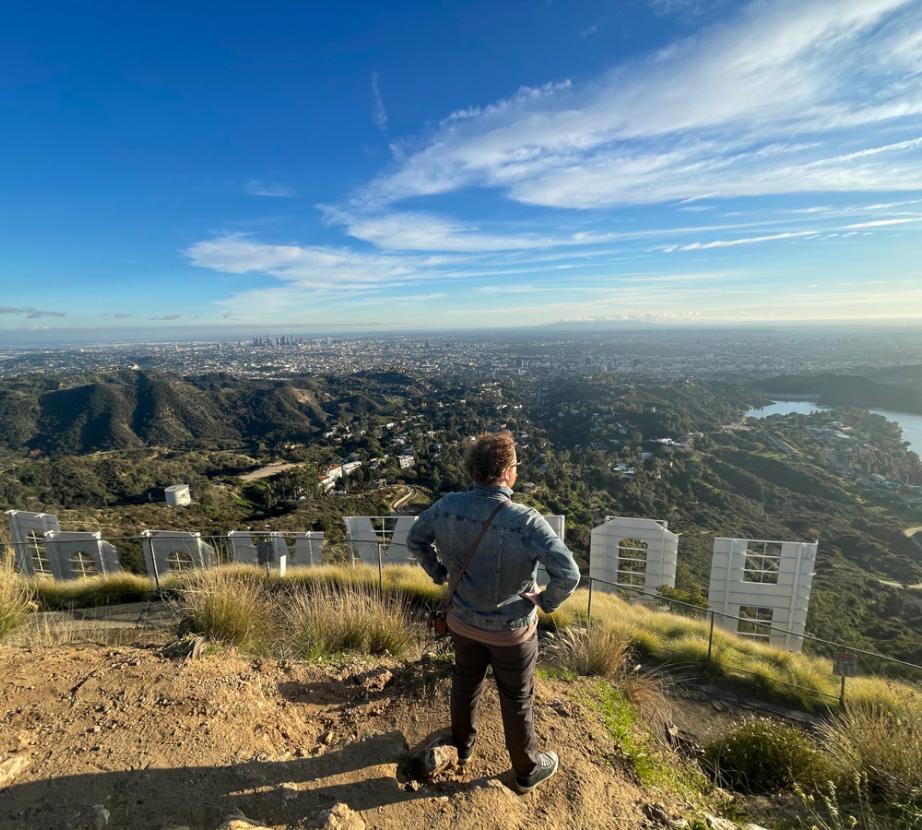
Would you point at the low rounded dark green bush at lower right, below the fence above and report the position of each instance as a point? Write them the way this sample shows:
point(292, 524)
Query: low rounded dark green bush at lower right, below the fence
point(765, 756)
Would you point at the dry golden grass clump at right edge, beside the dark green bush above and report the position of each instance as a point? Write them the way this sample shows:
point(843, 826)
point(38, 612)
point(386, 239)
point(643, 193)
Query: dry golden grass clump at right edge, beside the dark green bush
point(882, 745)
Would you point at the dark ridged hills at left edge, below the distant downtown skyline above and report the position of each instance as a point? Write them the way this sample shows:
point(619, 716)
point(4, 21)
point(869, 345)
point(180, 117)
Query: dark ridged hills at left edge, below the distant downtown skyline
point(135, 409)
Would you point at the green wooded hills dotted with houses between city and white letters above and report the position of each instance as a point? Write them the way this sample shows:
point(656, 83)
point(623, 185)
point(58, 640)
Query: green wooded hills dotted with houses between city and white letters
point(593, 446)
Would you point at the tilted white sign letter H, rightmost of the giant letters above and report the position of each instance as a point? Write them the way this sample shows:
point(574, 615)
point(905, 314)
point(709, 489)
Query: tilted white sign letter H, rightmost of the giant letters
point(763, 585)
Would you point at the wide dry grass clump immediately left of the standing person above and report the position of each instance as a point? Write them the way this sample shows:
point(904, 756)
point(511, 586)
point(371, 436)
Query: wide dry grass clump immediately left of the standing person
point(323, 622)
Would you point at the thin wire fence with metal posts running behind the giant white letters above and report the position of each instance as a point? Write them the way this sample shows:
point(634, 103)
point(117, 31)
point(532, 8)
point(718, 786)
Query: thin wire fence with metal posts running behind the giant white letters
point(870, 662)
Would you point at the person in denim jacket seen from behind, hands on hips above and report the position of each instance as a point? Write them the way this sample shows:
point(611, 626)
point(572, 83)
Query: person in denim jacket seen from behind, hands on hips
point(492, 616)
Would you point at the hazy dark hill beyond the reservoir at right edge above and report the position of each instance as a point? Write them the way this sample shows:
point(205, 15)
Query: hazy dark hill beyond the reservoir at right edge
point(893, 390)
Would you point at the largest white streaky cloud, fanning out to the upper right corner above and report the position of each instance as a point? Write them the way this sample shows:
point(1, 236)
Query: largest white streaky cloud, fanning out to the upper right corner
point(783, 97)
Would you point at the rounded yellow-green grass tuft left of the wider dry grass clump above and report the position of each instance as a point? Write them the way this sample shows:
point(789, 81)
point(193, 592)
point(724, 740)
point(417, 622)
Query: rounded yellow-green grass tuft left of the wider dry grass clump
point(228, 609)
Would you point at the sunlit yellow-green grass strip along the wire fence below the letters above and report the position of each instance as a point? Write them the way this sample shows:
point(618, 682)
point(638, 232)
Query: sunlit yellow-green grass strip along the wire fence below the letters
point(678, 642)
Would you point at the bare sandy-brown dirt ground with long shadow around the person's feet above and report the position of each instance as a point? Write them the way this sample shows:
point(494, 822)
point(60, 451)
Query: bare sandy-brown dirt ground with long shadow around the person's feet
point(162, 743)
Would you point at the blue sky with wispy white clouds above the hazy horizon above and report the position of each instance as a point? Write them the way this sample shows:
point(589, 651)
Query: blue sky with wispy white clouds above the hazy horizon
point(449, 164)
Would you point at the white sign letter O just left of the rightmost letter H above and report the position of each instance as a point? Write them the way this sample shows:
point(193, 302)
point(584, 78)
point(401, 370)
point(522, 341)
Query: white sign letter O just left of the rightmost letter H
point(633, 553)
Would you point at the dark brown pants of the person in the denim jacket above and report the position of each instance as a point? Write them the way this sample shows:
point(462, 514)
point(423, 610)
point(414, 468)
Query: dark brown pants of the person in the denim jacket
point(514, 673)
